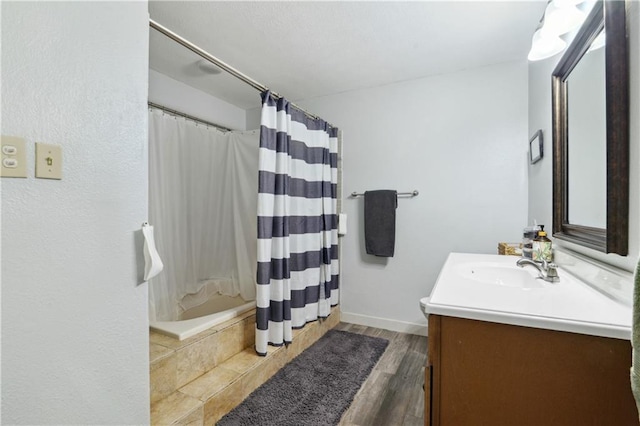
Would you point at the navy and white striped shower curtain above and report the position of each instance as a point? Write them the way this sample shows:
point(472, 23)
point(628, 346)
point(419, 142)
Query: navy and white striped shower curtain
point(297, 277)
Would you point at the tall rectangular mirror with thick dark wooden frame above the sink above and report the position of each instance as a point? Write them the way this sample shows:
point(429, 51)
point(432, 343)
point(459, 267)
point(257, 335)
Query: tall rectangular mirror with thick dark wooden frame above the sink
point(591, 134)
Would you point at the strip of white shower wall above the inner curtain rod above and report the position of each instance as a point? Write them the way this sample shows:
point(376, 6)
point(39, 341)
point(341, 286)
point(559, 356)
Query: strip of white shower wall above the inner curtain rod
point(181, 97)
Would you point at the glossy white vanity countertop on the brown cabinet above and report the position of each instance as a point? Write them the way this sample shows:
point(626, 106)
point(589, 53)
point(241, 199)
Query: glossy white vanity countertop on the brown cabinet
point(568, 305)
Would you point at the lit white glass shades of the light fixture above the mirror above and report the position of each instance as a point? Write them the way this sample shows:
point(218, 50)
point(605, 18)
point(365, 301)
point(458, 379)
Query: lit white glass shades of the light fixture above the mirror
point(560, 17)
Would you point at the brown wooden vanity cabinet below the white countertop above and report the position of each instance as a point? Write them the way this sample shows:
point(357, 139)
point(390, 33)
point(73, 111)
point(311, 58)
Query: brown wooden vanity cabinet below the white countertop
point(483, 373)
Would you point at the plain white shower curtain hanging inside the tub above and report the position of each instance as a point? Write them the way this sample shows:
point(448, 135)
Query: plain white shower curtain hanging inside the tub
point(202, 202)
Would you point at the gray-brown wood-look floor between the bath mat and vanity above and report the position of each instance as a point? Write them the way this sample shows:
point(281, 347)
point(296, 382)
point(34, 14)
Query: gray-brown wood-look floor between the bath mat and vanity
point(392, 394)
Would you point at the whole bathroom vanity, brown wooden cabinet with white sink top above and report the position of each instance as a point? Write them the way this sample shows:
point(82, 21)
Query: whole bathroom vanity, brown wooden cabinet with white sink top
point(506, 348)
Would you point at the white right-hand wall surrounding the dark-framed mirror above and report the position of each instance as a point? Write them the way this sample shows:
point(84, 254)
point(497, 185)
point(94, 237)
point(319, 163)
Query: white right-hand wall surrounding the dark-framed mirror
point(540, 174)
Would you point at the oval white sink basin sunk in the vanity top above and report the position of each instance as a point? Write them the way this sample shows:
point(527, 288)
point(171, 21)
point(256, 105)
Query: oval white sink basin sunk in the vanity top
point(500, 274)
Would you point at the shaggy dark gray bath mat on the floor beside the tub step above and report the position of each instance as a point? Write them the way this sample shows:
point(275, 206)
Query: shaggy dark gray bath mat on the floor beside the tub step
point(316, 387)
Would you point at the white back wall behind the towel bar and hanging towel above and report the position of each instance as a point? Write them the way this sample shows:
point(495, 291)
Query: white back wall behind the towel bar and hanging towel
point(461, 140)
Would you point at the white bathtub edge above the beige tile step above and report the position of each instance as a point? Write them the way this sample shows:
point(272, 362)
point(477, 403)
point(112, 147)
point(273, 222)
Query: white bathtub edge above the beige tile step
point(182, 330)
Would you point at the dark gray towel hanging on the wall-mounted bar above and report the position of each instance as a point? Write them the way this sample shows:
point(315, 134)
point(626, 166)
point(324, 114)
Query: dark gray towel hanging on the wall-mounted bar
point(380, 222)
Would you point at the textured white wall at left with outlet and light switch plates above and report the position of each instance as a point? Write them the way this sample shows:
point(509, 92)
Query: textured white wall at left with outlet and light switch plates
point(74, 317)
